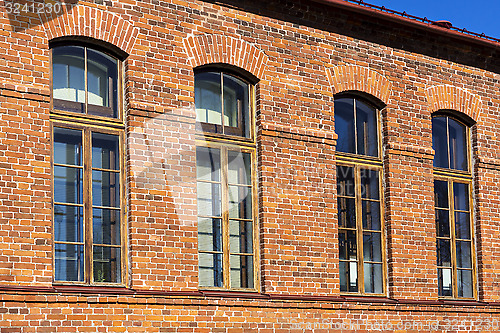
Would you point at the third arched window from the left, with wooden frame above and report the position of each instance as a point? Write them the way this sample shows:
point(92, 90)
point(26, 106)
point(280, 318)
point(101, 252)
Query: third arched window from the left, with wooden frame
point(359, 196)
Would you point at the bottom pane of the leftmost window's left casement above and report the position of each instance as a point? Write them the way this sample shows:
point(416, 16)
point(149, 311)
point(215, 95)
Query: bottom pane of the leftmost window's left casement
point(69, 262)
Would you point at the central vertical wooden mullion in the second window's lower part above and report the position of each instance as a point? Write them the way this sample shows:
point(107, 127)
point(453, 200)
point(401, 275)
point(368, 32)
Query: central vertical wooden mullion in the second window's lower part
point(225, 220)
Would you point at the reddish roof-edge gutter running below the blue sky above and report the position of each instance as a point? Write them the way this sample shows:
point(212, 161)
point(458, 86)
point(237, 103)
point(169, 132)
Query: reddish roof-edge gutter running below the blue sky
point(409, 22)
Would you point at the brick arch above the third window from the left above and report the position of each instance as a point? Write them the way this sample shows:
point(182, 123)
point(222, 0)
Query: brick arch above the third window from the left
point(351, 77)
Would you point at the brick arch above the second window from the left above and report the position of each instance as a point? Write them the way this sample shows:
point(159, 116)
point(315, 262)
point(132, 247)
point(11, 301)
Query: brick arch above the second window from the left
point(210, 49)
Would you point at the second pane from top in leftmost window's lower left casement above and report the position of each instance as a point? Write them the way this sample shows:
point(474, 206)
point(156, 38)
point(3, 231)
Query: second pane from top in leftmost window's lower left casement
point(68, 185)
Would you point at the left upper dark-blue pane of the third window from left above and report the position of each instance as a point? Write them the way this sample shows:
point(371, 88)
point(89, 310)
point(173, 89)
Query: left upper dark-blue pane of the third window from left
point(344, 124)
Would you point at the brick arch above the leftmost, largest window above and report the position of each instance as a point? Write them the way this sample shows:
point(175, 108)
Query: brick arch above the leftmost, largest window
point(91, 22)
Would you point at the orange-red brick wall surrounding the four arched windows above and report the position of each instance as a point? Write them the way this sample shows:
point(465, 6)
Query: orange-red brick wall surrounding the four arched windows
point(300, 54)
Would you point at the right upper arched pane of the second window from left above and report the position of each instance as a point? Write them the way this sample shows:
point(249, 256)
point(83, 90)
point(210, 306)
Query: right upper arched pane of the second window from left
point(236, 110)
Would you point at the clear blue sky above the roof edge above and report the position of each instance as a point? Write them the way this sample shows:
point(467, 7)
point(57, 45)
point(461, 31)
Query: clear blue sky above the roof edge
point(481, 16)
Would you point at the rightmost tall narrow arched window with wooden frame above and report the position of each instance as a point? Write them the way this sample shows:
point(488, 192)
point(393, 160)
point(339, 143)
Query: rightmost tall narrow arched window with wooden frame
point(453, 206)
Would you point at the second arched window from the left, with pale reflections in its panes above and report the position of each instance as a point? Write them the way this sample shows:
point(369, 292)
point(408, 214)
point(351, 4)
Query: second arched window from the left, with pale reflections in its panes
point(225, 159)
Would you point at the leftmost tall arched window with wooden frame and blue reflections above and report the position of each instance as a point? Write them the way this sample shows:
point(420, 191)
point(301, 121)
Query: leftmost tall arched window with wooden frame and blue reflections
point(88, 188)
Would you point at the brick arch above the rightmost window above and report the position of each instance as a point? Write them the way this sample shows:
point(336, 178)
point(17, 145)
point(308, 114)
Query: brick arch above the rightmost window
point(453, 98)
